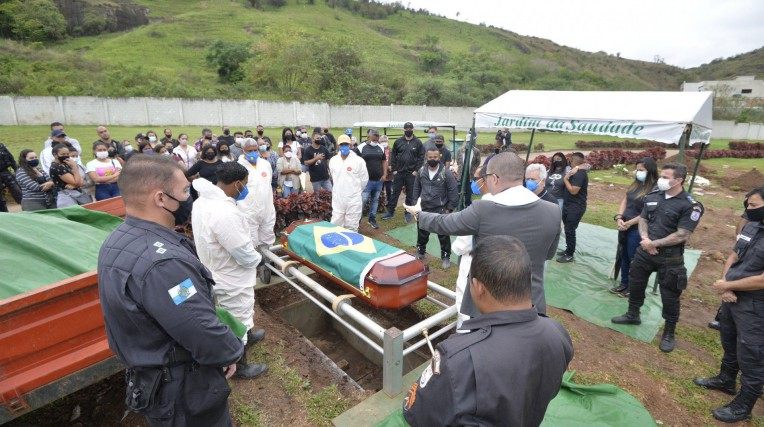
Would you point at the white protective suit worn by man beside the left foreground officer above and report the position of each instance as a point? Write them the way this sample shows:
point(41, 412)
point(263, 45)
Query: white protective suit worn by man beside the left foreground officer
point(224, 245)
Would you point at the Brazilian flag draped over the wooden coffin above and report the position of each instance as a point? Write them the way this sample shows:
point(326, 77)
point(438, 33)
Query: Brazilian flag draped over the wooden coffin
point(343, 253)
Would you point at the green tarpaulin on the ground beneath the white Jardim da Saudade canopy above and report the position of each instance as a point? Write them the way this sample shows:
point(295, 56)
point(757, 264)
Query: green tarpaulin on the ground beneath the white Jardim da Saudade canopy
point(582, 286)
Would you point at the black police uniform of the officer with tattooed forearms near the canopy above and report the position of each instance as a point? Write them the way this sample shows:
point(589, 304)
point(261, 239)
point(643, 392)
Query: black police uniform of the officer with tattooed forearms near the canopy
point(664, 217)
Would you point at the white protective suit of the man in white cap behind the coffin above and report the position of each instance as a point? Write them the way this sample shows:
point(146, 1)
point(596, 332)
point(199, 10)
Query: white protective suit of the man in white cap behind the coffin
point(349, 178)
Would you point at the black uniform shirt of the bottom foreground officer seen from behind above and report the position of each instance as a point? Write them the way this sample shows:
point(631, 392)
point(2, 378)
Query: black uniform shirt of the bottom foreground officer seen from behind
point(505, 371)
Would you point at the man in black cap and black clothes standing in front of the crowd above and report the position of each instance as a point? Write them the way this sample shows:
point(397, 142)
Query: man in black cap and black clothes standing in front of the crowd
point(406, 158)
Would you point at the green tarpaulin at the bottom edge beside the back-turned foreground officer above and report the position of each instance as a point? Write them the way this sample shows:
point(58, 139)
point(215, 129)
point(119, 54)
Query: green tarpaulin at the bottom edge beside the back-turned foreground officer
point(579, 405)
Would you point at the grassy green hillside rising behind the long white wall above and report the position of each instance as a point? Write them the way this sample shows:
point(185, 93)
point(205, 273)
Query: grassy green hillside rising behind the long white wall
point(314, 52)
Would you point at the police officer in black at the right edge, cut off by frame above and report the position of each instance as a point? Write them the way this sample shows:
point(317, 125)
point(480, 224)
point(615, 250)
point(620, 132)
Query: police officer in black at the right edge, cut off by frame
point(741, 318)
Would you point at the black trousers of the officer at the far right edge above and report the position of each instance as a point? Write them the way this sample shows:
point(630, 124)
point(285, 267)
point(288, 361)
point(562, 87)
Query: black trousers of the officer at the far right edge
point(742, 335)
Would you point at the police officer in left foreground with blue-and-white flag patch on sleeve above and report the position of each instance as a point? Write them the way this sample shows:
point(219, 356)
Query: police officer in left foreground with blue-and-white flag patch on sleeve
point(157, 304)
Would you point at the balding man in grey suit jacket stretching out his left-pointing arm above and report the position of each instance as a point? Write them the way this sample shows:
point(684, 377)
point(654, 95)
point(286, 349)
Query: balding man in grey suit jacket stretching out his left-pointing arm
point(512, 211)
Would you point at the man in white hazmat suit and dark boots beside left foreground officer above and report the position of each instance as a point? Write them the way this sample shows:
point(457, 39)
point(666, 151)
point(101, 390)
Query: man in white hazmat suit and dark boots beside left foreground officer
point(223, 244)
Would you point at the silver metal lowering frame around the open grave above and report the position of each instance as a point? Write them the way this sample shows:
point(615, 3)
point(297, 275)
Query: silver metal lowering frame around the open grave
point(390, 343)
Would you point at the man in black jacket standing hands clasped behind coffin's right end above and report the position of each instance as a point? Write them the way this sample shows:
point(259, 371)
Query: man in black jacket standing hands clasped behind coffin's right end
point(436, 186)
